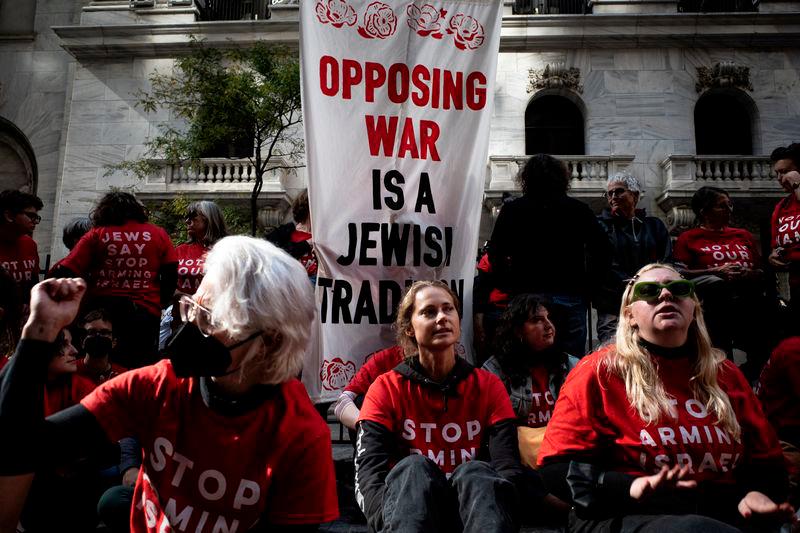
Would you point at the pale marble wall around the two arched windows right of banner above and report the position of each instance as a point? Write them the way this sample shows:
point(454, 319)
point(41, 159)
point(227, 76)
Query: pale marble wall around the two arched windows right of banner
point(641, 102)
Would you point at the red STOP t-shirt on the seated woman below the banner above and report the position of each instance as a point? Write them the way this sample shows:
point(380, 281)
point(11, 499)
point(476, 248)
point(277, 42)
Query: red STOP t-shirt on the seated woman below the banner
point(449, 435)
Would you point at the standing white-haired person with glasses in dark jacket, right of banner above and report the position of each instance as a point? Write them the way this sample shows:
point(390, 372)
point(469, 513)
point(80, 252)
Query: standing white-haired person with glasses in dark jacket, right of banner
point(636, 240)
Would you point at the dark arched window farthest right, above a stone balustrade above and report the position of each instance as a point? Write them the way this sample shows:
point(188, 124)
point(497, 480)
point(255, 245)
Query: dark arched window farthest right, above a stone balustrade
point(723, 123)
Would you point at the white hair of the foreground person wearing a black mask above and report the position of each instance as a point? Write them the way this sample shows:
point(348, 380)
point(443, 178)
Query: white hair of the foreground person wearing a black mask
point(259, 287)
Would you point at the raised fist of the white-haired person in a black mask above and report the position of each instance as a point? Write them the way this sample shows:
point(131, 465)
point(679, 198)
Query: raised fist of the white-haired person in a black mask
point(54, 305)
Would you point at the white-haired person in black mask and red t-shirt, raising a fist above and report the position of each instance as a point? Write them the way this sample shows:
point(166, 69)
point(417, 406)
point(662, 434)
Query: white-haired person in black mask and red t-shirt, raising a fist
point(230, 438)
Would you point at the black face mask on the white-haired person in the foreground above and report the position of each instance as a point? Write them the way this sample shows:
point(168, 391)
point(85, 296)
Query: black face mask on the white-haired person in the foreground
point(194, 355)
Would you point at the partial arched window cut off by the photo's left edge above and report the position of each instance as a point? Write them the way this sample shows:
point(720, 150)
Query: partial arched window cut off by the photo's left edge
point(17, 160)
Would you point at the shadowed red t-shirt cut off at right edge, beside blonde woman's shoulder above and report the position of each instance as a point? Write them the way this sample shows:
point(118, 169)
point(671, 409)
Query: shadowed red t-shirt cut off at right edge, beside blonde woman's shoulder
point(779, 387)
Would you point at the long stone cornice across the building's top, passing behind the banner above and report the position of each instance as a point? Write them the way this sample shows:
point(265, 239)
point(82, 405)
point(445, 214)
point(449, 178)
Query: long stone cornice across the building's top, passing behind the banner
point(519, 33)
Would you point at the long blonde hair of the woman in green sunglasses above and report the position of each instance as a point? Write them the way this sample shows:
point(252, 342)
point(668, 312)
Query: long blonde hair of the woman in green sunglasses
point(645, 389)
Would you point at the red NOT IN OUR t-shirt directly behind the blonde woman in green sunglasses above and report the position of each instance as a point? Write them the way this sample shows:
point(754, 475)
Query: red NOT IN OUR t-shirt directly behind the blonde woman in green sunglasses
point(699, 248)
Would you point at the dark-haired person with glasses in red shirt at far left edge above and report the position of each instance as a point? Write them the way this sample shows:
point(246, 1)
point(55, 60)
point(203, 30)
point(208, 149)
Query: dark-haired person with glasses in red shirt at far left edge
point(19, 255)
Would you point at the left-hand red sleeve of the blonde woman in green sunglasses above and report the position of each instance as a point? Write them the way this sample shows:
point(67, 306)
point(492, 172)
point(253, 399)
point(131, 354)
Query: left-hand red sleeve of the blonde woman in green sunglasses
point(578, 426)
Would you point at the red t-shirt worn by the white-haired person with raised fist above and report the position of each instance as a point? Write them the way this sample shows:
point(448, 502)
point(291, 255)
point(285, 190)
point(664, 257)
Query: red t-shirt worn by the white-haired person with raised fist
point(204, 471)
